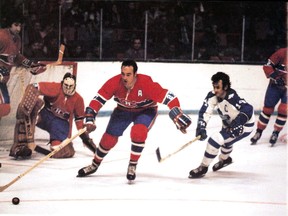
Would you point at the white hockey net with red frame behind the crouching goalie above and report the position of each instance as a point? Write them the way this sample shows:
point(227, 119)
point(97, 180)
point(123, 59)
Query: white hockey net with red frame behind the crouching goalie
point(19, 79)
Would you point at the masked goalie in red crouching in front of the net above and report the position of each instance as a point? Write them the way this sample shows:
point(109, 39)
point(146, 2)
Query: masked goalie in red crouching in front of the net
point(54, 114)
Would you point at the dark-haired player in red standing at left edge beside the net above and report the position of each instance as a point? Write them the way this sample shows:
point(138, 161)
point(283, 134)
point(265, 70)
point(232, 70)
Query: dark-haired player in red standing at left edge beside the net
point(10, 45)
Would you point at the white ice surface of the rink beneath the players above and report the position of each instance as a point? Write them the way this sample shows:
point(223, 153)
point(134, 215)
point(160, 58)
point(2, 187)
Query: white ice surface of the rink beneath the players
point(255, 184)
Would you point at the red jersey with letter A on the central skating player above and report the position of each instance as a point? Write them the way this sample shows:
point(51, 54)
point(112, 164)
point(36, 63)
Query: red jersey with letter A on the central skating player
point(145, 93)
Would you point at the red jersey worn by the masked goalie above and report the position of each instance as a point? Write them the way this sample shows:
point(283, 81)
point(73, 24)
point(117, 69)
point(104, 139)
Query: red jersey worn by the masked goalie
point(73, 105)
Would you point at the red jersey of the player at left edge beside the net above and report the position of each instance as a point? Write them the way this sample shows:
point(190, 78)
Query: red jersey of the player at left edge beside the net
point(10, 46)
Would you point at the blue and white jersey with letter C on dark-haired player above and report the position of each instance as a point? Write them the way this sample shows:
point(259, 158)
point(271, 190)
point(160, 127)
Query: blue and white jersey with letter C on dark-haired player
point(227, 108)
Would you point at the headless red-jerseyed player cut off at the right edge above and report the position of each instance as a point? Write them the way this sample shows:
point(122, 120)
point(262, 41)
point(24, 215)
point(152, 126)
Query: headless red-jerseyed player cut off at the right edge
point(276, 70)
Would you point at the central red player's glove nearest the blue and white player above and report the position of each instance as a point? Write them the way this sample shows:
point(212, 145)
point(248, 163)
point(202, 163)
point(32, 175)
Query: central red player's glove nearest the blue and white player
point(181, 120)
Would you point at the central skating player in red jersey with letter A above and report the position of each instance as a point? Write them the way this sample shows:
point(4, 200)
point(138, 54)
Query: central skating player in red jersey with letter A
point(136, 96)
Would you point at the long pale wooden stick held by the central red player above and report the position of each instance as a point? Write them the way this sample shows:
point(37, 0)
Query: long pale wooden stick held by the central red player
point(62, 145)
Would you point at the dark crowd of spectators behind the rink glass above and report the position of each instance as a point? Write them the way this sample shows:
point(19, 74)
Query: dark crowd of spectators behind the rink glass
point(185, 31)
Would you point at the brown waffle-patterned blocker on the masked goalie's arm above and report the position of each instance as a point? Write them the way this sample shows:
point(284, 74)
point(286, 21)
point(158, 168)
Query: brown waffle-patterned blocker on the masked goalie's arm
point(29, 100)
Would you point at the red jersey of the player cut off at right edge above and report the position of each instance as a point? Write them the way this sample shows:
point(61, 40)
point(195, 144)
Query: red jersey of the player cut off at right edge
point(277, 60)
